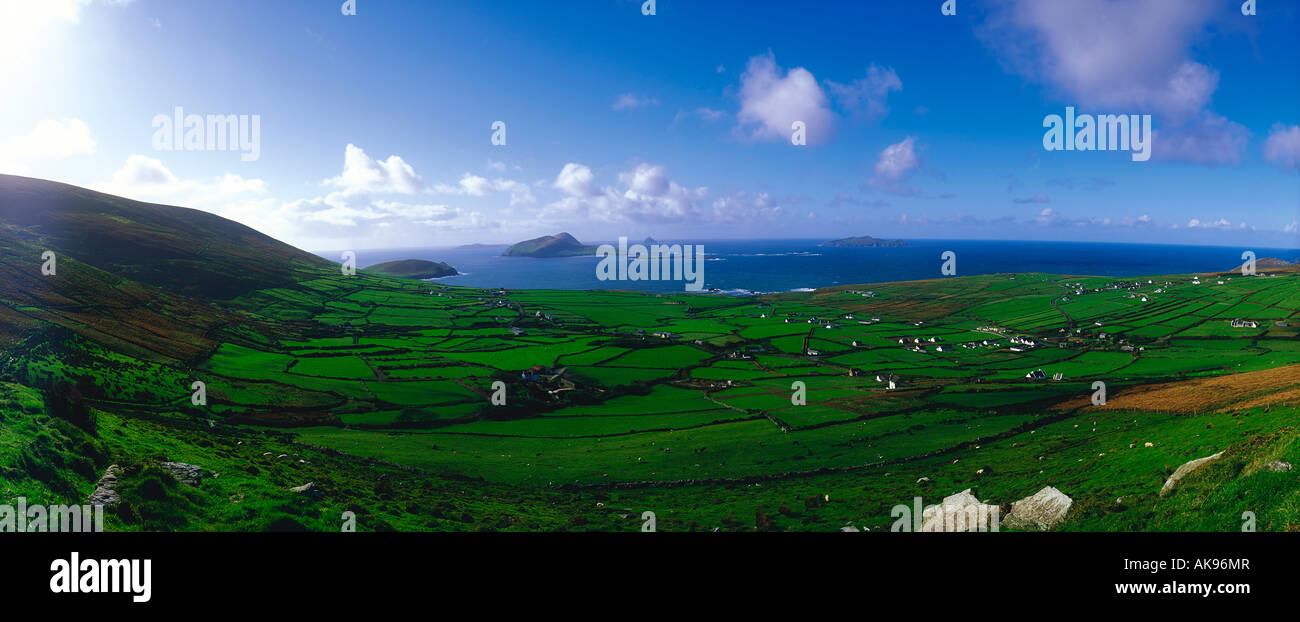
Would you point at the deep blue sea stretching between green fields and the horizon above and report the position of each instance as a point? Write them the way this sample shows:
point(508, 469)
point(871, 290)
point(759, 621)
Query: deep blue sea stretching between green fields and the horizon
point(765, 266)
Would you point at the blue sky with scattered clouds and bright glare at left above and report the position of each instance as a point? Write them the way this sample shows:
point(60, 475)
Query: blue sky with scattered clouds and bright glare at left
point(376, 128)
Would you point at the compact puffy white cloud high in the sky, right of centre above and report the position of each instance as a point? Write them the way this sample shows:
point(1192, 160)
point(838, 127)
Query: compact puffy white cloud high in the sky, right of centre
point(773, 101)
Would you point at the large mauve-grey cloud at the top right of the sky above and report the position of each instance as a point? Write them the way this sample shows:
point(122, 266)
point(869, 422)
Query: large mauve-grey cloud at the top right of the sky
point(1123, 58)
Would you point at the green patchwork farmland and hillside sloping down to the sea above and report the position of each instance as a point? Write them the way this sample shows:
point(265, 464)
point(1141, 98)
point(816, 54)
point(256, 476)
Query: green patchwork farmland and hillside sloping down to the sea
point(378, 391)
